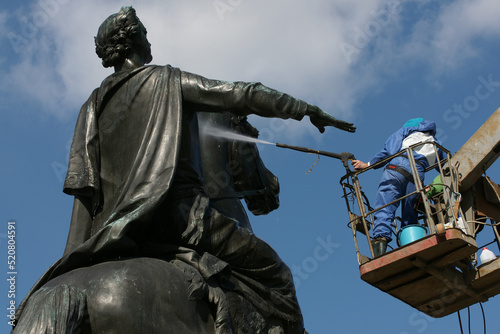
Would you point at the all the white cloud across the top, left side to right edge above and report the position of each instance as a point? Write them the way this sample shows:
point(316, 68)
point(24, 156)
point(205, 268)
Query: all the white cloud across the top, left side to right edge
point(294, 46)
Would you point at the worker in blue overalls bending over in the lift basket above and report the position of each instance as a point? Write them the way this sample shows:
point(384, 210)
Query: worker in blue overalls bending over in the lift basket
point(397, 179)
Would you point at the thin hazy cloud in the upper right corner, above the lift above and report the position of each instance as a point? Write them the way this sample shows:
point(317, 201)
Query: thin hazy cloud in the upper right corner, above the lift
point(442, 36)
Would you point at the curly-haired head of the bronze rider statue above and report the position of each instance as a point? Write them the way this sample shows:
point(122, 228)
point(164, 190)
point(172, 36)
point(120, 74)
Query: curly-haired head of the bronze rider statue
point(120, 35)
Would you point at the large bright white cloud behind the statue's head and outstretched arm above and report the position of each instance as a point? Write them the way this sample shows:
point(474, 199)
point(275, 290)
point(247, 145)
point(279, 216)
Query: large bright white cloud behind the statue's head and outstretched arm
point(289, 45)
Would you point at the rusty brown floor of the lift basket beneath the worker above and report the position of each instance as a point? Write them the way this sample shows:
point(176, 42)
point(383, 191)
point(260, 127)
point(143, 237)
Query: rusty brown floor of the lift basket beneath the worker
point(431, 276)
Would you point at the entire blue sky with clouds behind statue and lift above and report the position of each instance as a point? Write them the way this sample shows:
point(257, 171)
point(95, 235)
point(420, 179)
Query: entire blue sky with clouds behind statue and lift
point(375, 63)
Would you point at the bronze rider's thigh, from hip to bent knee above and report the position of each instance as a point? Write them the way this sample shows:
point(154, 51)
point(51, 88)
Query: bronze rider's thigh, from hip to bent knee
point(222, 236)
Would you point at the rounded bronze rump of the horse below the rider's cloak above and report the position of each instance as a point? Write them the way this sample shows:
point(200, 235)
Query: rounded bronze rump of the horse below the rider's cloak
point(141, 295)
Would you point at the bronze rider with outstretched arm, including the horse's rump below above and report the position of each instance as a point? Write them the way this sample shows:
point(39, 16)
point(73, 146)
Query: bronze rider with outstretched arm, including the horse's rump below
point(145, 250)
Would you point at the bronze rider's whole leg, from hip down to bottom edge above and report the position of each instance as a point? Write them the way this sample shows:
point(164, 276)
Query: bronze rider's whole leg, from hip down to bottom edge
point(252, 260)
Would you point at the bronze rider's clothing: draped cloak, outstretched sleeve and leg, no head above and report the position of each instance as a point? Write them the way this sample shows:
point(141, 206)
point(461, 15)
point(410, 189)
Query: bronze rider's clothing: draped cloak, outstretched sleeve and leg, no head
point(129, 141)
